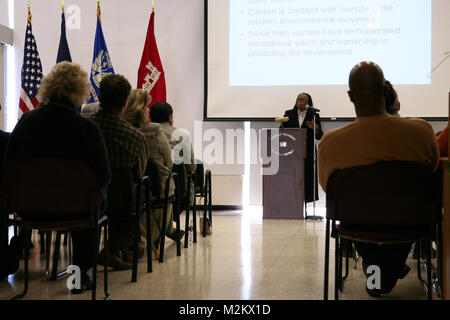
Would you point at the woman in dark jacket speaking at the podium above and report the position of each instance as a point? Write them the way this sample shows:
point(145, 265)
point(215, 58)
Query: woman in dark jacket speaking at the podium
point(301, 116)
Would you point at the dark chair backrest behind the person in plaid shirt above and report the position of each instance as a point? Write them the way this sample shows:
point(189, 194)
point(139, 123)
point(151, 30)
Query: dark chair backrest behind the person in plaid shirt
point(120, 190)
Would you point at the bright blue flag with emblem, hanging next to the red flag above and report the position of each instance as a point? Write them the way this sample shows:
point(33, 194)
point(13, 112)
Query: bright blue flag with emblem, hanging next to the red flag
point(101, 63)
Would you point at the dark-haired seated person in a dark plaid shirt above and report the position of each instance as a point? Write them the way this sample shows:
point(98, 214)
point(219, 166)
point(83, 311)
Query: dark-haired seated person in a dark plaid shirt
point(127, 148)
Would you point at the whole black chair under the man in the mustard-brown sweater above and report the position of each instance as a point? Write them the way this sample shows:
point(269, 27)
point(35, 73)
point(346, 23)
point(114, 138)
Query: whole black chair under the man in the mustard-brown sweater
point(385, 202)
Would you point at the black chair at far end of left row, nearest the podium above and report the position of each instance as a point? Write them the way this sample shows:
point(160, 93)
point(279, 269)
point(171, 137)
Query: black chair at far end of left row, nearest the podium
point(203, 189)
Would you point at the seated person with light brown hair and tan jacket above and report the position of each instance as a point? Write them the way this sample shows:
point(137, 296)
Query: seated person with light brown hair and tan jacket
point(137, 114)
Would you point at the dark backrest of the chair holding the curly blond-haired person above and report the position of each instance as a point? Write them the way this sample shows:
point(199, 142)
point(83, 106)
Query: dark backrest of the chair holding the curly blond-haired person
point(40, 186)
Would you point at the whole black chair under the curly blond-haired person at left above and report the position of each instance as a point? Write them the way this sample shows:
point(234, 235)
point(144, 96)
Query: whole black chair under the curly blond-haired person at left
point(53, 194)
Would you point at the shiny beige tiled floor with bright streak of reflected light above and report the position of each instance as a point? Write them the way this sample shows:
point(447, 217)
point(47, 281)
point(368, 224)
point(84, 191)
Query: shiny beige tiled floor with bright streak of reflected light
point(246, 257)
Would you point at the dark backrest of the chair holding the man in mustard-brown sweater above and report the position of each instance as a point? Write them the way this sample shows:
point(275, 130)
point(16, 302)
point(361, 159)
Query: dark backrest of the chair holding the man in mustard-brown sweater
point(386, 193)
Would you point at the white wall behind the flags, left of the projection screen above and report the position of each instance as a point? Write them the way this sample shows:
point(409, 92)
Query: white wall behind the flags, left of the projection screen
point(179, 34)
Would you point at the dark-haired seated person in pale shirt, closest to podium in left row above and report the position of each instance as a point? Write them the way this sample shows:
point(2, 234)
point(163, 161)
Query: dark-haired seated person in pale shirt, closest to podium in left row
point(179, 139)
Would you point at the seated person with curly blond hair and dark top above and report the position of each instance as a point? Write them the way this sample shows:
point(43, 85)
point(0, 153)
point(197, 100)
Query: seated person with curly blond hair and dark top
point(54, 129)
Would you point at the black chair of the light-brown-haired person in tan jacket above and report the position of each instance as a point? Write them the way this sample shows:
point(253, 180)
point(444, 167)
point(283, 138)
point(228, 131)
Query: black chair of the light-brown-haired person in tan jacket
point(163, 203)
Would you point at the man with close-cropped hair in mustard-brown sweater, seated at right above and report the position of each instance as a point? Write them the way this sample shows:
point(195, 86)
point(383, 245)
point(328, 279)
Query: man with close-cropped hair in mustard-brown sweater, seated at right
point(375, 136)
